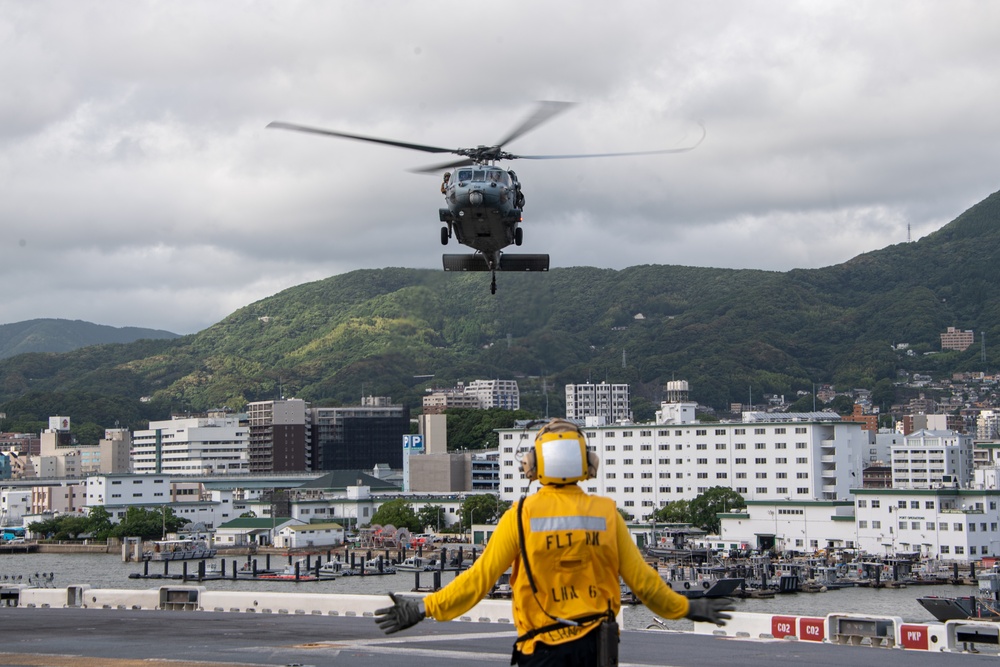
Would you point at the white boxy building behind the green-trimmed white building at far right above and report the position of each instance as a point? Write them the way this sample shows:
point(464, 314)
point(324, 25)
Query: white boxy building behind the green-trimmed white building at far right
point(927, 459)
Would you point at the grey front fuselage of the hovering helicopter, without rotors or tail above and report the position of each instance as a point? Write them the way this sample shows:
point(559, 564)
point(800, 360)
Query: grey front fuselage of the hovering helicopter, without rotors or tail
point(484, 208)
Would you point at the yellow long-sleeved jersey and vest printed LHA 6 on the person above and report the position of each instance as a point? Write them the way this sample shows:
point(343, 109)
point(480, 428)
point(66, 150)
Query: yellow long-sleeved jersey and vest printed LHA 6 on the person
point(577, 546)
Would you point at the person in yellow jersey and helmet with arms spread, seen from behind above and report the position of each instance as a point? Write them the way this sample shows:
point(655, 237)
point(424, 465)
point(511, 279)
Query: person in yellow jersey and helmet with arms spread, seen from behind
point(568, 549)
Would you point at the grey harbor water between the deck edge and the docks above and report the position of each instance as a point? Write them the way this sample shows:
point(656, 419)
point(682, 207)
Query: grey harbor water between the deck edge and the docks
point(108, 571)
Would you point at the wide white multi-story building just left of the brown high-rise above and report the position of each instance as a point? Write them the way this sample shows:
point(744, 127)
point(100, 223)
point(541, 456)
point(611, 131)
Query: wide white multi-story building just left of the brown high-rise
point(192, 446)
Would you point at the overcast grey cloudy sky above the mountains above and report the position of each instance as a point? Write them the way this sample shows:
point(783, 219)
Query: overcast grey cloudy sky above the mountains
point(139, 186)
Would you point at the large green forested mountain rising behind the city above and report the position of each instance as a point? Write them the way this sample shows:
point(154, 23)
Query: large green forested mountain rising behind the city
point(728, 332)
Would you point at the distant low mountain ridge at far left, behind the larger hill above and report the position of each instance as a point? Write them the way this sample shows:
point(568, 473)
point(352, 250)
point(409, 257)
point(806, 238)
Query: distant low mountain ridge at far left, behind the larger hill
point(55, 335)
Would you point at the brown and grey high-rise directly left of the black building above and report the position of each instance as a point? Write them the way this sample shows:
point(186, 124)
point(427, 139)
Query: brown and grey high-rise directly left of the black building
point(280, 436)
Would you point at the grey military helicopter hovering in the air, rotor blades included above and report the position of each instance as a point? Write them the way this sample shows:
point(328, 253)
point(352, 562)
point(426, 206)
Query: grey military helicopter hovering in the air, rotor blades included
point(484, 201)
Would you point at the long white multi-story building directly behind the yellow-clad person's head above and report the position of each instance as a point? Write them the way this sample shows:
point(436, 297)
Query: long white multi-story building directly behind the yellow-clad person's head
point(799, 457)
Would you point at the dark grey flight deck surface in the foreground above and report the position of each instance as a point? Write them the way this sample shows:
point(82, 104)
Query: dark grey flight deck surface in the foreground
point(120, 638)
